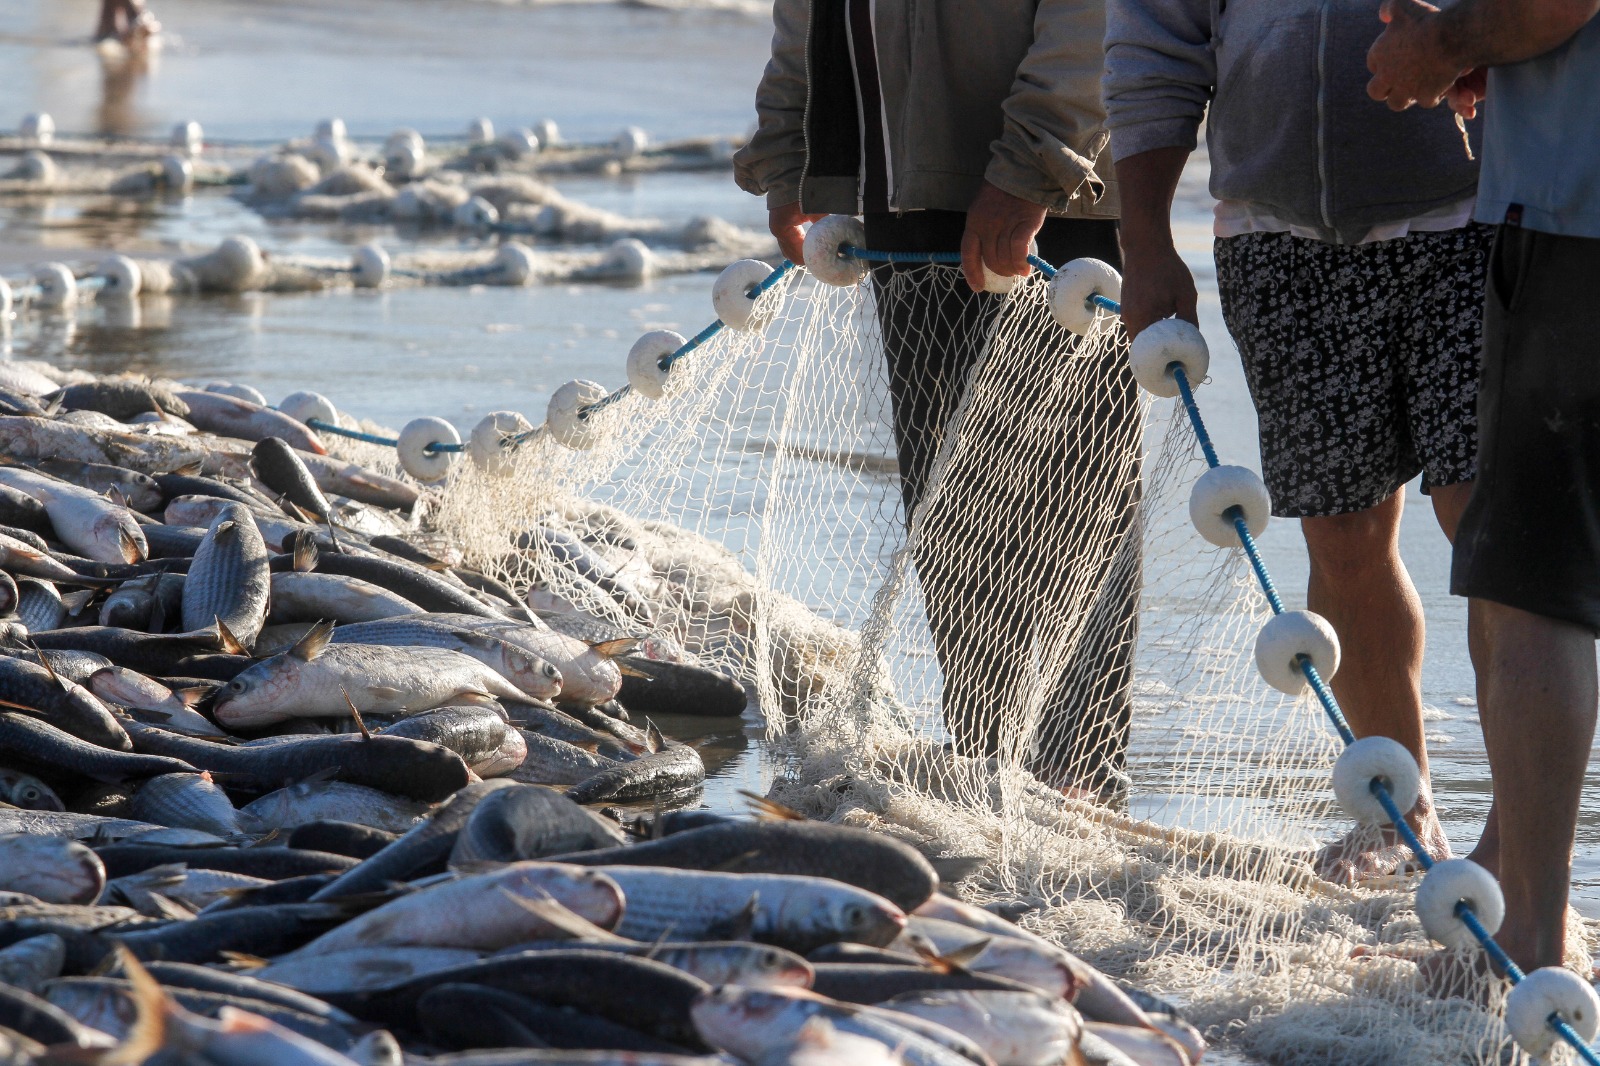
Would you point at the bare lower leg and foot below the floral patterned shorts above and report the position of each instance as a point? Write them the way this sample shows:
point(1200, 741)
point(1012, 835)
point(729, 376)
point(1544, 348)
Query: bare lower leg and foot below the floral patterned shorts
point(1361, 585)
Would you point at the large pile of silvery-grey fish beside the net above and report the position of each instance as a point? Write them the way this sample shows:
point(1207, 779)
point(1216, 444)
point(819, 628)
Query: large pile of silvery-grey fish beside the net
point(282, 787)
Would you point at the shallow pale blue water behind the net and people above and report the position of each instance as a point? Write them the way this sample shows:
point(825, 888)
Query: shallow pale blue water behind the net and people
point(265, 70)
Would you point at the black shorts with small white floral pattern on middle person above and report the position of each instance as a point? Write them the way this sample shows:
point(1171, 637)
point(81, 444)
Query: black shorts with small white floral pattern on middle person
point(1362, 361)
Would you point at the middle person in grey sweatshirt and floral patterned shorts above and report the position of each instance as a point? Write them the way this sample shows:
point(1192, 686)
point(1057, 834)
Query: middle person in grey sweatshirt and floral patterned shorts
point(1351, 273)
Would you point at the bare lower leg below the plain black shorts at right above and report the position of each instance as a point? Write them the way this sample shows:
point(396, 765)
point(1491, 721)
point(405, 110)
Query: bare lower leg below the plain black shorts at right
point(1538, 726)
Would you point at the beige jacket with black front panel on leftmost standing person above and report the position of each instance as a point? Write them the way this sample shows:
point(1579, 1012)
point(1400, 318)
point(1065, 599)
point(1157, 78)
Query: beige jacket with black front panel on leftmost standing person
point(999, 90)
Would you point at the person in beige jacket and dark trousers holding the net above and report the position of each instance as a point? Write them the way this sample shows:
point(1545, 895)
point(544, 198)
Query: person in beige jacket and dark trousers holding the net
point(975, 126)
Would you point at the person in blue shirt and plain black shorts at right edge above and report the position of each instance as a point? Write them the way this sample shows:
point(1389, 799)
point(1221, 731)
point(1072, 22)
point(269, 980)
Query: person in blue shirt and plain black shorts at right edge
point(1529, 551)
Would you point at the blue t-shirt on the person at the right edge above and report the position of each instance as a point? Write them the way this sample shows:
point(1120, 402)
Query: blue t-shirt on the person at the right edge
point(1542, 140)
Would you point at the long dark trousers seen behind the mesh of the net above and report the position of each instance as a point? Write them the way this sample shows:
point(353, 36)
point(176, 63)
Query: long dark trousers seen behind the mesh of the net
point(1030, 545)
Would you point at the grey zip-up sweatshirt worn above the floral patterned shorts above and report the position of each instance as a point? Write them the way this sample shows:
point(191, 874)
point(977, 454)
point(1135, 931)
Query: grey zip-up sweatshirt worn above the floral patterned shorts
point(1282, 86)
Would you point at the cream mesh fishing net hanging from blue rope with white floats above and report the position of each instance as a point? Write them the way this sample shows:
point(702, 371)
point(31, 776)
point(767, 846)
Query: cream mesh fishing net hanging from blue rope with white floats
point(1042, 619)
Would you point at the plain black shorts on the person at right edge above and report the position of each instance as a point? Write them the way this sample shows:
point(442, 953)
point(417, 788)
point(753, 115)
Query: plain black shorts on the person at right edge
point(1530, 537)
